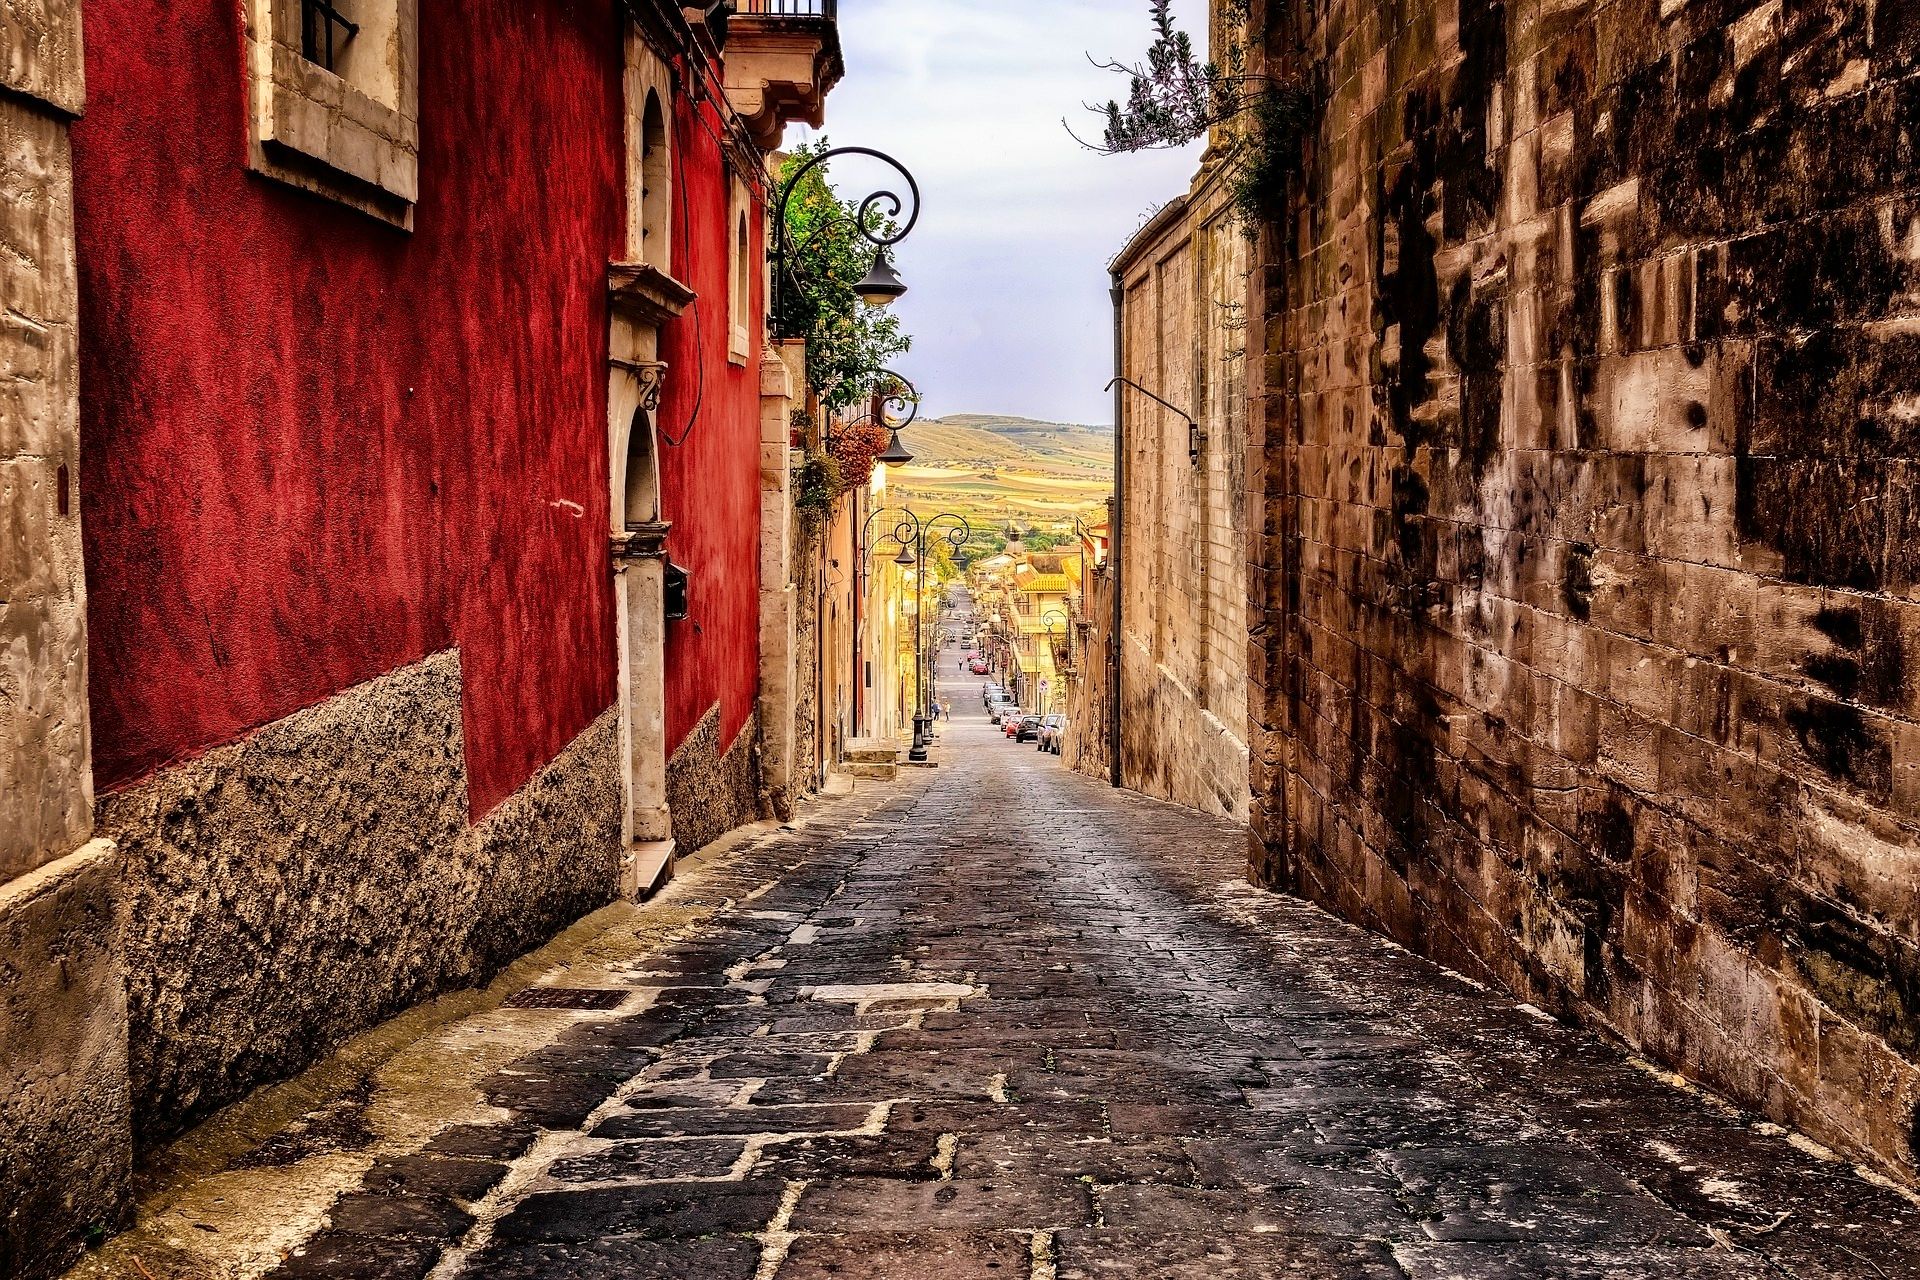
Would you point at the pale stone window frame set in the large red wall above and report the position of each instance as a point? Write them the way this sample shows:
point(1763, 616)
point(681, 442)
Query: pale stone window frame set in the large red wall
point(352, 137)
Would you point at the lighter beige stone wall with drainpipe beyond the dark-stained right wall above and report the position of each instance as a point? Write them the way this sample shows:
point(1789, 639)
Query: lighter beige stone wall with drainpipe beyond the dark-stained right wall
point(1184, 540)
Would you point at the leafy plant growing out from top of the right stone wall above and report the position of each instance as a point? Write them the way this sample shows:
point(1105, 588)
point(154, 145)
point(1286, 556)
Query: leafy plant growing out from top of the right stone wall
point(1174, 99)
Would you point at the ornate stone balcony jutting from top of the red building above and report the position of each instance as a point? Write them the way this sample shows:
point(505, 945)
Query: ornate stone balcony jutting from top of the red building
point(782, 60)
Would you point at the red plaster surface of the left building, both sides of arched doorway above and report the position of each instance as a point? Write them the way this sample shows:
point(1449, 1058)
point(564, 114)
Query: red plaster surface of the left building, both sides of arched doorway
point(318, 448)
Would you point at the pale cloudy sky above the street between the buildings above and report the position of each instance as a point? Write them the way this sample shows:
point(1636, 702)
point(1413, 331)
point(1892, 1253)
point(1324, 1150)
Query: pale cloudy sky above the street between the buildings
point(1009, 302)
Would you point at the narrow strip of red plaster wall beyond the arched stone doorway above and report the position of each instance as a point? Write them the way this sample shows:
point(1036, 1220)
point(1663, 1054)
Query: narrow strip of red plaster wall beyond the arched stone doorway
point(711, 485)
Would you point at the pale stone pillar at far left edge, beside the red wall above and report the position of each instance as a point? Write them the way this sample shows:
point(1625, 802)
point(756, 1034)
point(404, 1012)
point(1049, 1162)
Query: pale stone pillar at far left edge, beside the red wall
point(66, 1137)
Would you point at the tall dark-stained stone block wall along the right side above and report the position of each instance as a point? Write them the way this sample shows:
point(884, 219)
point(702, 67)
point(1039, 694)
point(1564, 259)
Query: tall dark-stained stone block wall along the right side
point(1589, 533)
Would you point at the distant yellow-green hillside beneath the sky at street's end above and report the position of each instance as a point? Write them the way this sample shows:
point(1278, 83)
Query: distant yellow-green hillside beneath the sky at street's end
point(999, 471)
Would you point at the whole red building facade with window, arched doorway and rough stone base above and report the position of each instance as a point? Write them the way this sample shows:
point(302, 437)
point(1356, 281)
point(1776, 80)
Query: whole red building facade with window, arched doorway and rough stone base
point(420, 385)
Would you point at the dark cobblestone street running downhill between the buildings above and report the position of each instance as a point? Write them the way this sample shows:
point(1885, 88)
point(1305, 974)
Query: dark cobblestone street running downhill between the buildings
point(997, 1020)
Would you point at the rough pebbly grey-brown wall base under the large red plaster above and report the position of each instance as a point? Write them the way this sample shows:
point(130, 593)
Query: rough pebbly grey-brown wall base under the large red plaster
point(318, 878)
